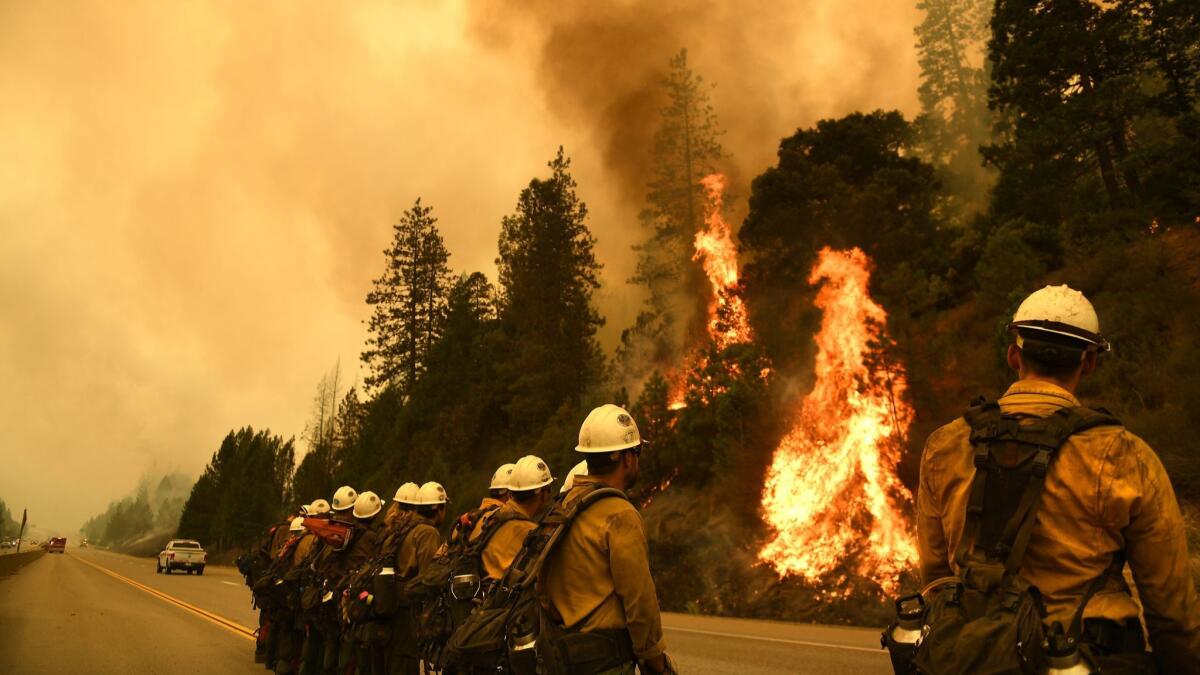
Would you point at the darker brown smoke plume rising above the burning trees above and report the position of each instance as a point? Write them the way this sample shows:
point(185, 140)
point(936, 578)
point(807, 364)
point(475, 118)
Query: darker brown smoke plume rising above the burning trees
point(776, 68)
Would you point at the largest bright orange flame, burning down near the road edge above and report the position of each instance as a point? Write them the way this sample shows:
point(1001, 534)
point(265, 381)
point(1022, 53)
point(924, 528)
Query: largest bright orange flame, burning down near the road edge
point(832, 497)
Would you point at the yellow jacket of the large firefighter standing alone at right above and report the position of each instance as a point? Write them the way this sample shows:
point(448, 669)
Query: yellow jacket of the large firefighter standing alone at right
point(1107, 491)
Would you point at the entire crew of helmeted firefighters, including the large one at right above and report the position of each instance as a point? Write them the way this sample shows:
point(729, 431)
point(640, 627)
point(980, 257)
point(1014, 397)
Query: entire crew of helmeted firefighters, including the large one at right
point(1030, 510)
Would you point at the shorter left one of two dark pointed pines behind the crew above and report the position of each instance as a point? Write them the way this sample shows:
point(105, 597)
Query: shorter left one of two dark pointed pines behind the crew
point(409, 302)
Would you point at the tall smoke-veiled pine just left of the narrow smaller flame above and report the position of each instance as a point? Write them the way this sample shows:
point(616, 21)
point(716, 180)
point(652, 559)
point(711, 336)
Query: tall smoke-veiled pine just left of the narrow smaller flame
point(687, 148)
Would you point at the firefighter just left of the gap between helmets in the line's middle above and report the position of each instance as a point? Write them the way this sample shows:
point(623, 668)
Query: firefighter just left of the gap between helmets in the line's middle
point(416, 553)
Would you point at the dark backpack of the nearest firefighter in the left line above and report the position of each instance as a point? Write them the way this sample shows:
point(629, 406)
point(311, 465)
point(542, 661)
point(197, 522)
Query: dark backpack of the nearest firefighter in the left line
point(513, 632)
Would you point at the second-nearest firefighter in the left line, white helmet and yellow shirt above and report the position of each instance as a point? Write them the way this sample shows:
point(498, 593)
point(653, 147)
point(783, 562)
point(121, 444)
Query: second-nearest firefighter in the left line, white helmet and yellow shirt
point(530, 493)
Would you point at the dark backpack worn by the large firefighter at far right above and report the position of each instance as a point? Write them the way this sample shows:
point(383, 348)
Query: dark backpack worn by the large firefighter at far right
point(988, 619)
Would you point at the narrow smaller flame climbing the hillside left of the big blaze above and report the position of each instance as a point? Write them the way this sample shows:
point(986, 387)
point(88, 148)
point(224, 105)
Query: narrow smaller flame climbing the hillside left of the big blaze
point(717, 253)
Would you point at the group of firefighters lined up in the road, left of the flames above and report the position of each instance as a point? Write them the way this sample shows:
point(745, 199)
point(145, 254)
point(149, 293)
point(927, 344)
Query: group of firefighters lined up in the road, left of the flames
point(352, 587)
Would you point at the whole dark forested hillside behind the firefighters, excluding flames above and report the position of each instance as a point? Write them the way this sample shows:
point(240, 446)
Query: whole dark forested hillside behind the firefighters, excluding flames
point(1070, 154)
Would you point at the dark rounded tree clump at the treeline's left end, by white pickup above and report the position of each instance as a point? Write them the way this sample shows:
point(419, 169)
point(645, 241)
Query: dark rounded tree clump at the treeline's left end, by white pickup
point(245, 489)
